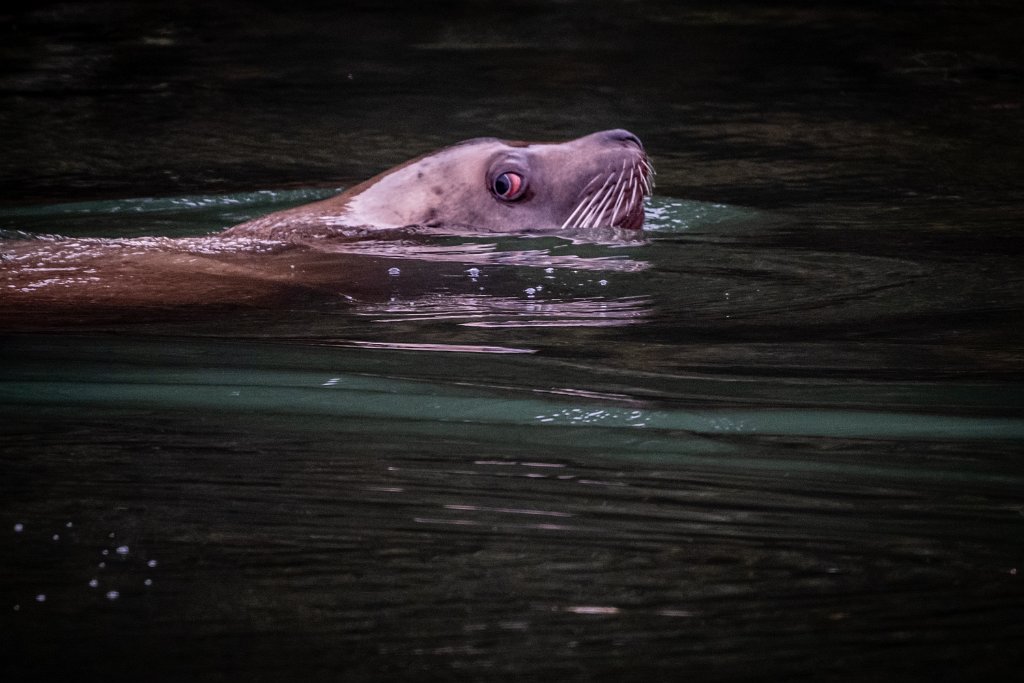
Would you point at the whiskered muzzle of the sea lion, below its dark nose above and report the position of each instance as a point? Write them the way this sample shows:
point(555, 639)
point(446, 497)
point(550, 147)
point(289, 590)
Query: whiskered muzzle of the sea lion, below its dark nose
point(615, 199)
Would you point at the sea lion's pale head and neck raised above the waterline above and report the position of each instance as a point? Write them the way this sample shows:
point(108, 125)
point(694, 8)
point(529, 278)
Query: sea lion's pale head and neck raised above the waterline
point(487, 185)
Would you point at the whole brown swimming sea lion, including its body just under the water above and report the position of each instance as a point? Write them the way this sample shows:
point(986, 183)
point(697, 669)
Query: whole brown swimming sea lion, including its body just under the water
point(595, 183)
